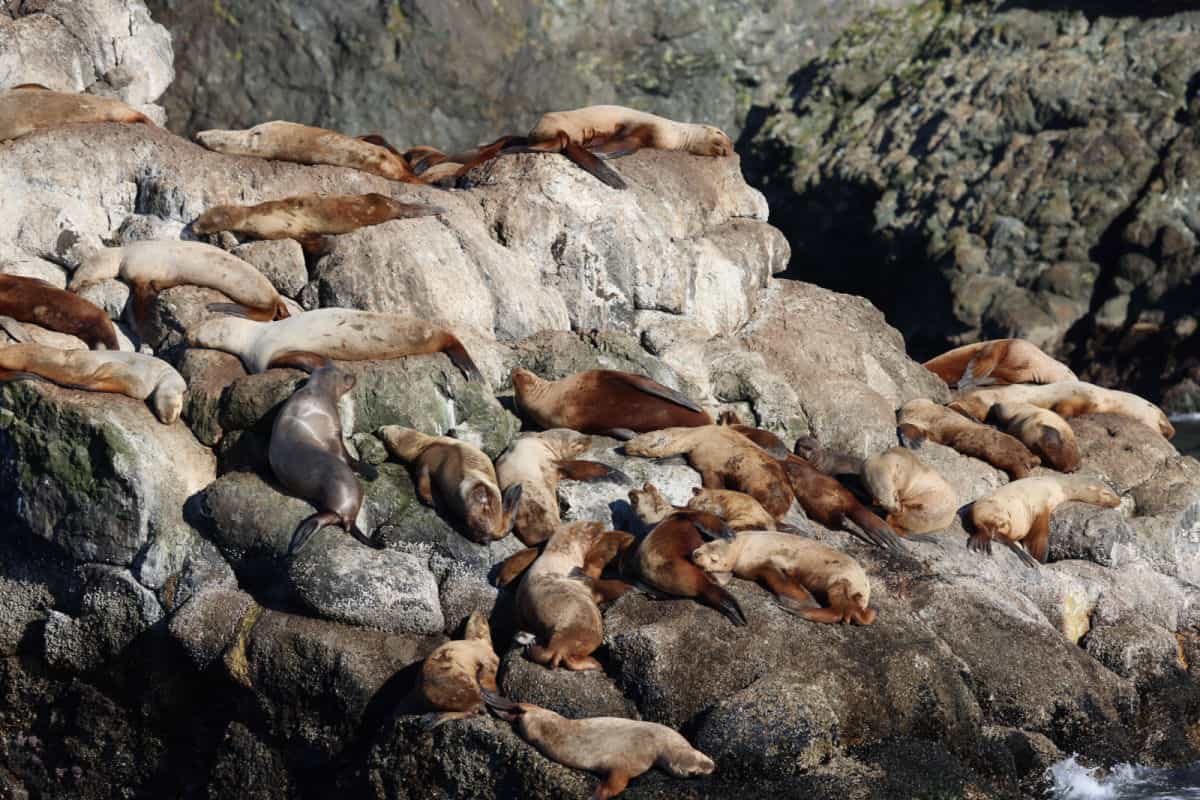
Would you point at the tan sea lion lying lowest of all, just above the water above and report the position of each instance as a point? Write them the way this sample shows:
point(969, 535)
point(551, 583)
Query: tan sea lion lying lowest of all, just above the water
point(616, 749)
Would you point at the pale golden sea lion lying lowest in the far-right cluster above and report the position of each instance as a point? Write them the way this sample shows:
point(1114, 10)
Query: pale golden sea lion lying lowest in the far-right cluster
point(1018, 514)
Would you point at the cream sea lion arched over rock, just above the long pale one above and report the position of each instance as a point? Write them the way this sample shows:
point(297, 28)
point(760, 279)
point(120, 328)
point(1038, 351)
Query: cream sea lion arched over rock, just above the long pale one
point(151, 267)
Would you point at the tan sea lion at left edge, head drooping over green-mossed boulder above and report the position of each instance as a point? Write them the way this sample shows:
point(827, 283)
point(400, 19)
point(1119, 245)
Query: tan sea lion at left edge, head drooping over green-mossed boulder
point(141, 377)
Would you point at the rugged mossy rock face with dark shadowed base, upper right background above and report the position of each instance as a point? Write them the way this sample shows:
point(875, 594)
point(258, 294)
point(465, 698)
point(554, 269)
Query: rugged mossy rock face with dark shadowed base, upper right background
point(999, 170)
